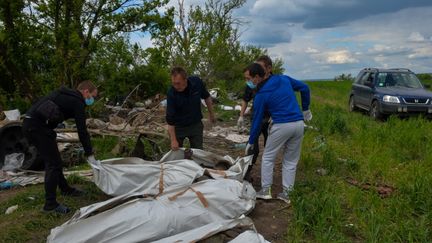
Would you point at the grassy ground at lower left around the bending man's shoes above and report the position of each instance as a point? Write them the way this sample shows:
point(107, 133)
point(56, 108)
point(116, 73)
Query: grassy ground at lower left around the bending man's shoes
point(28, 223)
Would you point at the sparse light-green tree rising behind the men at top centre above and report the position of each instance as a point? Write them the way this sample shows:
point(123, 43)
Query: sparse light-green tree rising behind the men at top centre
point(205, 41)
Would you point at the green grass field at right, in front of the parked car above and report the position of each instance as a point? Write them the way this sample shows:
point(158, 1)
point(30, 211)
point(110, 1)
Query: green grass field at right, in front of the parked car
point(397, 153)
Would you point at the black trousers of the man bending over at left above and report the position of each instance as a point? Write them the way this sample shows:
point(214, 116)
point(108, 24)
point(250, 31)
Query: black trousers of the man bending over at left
point(44, 139)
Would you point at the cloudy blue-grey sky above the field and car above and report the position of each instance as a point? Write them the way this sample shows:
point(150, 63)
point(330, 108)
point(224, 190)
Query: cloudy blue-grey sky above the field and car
point(325, 38)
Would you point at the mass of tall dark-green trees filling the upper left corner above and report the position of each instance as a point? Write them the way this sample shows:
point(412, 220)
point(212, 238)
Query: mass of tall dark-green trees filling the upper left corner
point(45, 43)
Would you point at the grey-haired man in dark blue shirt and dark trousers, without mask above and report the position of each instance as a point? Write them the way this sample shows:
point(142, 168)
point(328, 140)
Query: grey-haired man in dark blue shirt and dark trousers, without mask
point(183, 112)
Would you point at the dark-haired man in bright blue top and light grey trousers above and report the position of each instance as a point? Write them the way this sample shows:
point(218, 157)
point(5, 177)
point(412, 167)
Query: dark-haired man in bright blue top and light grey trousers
point(277, 96)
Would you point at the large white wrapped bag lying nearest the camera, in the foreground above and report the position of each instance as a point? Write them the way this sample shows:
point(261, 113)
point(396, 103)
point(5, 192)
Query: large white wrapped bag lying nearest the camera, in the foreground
point(133, 218)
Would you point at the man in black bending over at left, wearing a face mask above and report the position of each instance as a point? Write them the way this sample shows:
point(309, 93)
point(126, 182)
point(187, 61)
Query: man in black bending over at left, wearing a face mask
point(38, 128)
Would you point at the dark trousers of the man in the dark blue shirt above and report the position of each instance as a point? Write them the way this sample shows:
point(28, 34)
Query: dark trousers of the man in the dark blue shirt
point(193, 132)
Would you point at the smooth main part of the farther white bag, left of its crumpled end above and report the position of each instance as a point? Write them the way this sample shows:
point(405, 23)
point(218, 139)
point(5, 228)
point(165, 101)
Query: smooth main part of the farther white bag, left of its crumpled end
point(120, 176)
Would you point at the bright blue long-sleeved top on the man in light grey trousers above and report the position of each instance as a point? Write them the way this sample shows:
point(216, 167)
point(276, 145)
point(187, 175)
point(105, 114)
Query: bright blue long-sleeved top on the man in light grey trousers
point(278, 98)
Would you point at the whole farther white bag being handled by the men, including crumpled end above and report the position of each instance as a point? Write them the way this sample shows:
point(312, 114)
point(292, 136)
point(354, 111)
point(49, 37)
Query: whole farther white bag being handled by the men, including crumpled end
point(124, 175)
